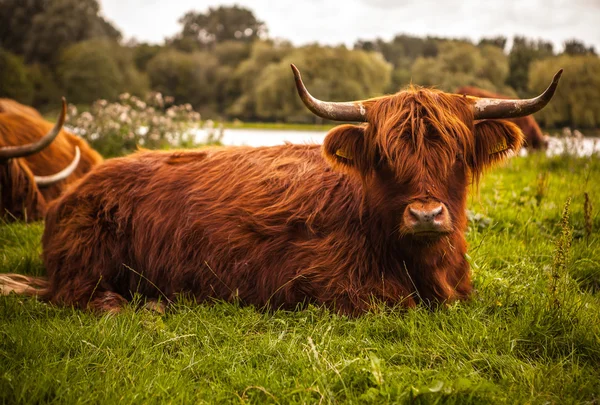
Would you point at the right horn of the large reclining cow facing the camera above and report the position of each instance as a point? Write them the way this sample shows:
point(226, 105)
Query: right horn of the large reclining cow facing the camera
point(489, 108)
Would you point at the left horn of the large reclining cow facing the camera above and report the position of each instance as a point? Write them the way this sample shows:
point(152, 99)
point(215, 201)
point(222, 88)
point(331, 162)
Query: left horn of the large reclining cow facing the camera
point(352, 111)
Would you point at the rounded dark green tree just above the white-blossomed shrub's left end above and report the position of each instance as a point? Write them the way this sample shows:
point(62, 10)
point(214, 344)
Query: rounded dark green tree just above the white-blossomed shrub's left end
point(99, 69)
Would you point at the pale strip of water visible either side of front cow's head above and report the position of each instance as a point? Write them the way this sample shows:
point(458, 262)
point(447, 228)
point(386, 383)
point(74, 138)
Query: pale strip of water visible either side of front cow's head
point(580, 146)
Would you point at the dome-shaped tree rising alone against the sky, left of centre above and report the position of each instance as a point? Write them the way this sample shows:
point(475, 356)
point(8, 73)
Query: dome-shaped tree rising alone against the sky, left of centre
point(217, 25)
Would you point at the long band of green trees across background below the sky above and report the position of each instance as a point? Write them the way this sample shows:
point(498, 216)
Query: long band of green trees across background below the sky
point(224, 63)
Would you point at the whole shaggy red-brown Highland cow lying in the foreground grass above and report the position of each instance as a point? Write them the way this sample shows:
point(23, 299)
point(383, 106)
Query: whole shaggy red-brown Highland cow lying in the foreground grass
point(377, 214)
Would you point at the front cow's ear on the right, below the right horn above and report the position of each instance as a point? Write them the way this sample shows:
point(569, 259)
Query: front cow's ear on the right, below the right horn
point(494, 141)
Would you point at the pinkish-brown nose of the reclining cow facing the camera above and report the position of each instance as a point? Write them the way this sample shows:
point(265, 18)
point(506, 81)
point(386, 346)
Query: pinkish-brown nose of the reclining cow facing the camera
point(428, 217)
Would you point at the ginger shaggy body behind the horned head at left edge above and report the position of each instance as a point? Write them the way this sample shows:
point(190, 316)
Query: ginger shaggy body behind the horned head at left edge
point(54, 157)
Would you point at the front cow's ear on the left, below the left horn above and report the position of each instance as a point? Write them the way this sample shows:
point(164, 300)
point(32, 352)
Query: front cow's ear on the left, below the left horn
point(344, 149)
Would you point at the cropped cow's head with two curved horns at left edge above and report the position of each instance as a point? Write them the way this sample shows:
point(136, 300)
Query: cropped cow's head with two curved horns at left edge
point(20, 197)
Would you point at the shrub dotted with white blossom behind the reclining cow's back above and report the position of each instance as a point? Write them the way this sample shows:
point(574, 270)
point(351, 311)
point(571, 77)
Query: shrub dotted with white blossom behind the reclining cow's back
point(116, 129)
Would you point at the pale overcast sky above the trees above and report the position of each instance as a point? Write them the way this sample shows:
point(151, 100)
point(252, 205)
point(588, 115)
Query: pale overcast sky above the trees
point(345, 21)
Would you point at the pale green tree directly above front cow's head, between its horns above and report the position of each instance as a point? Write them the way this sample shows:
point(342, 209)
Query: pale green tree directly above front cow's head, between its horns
point(462, 64)
